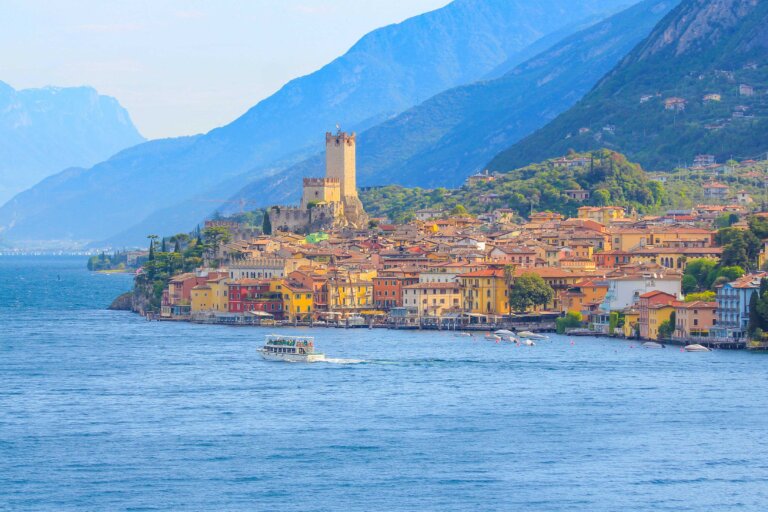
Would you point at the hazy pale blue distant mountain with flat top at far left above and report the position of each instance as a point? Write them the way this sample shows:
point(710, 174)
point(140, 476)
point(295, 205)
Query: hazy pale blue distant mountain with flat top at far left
point(45, 130)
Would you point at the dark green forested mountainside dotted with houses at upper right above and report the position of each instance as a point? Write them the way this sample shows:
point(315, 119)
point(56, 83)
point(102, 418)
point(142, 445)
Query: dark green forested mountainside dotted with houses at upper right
point(696, 85)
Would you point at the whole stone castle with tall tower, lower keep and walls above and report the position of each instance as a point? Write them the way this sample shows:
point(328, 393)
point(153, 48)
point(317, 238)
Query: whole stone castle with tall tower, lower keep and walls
point(329, 202)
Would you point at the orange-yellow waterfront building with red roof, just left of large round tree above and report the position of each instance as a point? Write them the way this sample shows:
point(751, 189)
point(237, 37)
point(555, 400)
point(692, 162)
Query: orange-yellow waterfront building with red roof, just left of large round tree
point(485, 292)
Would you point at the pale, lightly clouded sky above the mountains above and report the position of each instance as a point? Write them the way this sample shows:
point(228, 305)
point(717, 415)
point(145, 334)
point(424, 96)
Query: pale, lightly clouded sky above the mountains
point(183, 67)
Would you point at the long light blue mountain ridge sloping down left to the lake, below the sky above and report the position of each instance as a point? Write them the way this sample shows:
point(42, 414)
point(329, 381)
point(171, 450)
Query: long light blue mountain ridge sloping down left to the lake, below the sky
point(386, 72)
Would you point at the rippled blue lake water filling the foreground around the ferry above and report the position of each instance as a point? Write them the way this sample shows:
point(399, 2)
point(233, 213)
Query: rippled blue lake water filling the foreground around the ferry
point(105, 411)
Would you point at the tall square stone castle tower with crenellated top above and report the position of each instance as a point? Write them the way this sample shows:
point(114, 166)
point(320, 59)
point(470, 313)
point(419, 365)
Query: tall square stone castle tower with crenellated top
point(340, 164)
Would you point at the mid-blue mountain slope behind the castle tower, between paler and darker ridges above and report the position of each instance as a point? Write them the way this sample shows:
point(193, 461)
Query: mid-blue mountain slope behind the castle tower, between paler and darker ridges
point(443, 140)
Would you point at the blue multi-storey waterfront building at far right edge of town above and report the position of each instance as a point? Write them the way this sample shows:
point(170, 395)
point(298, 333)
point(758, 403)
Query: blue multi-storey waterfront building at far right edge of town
point(733, 306)
